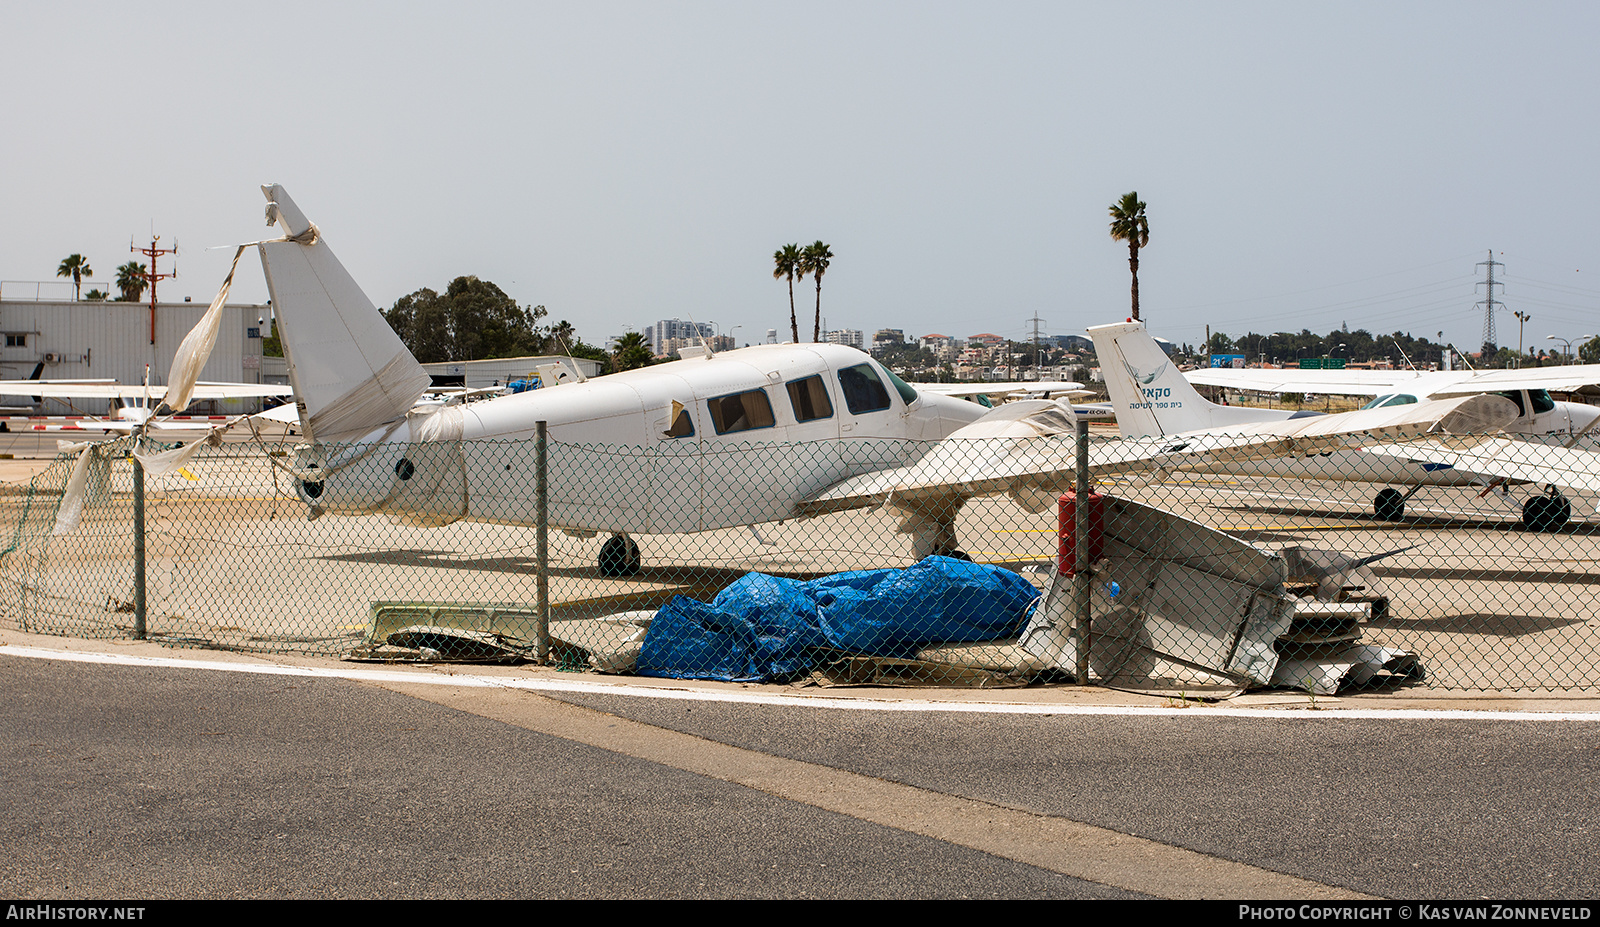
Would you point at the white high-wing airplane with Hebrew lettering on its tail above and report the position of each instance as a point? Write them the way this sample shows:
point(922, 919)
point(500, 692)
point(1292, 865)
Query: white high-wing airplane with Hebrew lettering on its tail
point(1153, 398)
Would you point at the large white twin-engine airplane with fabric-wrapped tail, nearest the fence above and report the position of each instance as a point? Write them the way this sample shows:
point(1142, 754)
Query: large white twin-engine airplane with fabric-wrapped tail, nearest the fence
point(713, 441)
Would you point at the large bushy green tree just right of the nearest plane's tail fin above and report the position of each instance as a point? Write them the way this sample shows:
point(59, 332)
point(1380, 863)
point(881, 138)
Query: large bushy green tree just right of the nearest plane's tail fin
point(473, 319)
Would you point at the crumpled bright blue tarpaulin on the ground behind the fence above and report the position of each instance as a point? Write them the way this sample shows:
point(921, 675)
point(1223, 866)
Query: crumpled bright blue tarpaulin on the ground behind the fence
point(767, 628)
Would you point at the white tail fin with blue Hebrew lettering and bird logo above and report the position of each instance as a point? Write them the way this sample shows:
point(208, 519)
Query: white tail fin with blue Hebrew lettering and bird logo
point(1151, 395)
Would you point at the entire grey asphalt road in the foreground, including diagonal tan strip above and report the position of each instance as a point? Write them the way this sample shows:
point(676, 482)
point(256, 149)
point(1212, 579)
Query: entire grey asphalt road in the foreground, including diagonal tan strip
point(158, 782)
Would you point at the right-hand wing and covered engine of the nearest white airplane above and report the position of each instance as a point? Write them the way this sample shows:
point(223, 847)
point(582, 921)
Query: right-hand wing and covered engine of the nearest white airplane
point(1031, 454)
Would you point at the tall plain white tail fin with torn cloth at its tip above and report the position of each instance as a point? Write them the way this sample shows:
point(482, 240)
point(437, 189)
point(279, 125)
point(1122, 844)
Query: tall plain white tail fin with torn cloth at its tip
point(350, 371)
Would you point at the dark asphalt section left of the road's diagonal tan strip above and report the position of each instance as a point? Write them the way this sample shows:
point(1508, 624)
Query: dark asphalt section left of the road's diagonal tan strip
point(169, 784)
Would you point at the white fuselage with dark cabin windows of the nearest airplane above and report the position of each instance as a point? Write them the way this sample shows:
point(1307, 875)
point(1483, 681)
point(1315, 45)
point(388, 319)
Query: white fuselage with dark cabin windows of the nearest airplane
point(678, 447)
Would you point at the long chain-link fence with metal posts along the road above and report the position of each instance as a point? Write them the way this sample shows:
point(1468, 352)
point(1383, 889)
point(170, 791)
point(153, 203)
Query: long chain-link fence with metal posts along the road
point(687, 563)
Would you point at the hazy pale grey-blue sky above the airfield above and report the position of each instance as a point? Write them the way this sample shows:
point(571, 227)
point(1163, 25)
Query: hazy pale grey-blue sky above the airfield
point(1305, 166)
